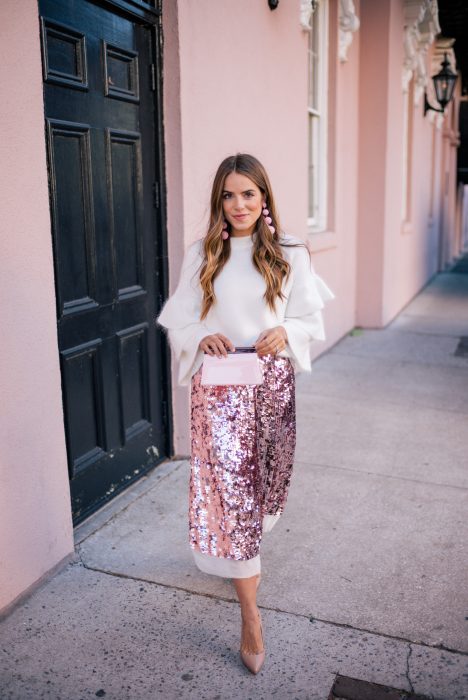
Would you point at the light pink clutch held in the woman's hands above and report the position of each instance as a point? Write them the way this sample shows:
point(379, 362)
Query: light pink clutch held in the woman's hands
point(236, 368)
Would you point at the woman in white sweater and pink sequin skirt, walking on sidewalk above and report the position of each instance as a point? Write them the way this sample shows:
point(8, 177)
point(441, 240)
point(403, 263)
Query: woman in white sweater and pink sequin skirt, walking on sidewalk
point(244, 284)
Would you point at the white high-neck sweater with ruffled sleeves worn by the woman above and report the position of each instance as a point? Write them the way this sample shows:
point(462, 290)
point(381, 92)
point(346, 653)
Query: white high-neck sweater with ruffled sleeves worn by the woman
point(240, 312)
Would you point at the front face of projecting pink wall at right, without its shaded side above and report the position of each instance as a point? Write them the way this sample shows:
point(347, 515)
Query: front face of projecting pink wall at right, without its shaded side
point(410, 251)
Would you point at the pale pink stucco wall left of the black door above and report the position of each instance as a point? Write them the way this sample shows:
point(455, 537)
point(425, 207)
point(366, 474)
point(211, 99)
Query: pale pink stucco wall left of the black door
point(35, 514)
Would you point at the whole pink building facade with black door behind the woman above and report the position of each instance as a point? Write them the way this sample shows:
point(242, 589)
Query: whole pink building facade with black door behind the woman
point(115, 118)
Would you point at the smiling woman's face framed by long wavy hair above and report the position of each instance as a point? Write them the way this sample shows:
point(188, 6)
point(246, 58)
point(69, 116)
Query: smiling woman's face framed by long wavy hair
point(242, 203)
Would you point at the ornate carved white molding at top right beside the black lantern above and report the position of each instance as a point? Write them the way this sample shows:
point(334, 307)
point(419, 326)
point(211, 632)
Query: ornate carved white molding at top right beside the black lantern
point(421, 19)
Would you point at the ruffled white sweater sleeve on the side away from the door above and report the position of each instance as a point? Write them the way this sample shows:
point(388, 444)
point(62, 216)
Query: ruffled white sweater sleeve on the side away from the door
point(303, 319)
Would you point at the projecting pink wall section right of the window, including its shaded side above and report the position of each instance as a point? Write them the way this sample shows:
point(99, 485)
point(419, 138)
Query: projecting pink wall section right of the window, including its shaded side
point(395, 258)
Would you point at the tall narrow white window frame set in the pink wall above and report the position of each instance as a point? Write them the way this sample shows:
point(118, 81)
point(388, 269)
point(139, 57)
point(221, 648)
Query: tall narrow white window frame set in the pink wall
point(317, 120)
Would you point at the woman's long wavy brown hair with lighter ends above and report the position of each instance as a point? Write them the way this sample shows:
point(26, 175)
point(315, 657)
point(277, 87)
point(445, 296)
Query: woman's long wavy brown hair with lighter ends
point(267, 255)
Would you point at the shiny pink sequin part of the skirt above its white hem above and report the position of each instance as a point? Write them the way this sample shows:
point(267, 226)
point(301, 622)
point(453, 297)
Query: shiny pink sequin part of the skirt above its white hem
point(242, 450)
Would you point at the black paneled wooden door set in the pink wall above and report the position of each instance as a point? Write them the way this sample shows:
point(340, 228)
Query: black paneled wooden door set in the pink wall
point(102, 117)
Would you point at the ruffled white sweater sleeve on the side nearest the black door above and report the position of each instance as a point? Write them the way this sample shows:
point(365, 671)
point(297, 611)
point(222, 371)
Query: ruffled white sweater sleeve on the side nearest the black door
point(180, 315)
